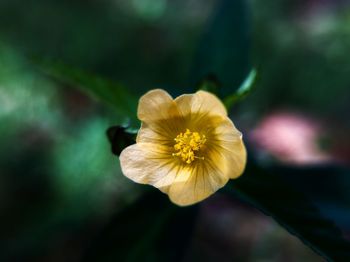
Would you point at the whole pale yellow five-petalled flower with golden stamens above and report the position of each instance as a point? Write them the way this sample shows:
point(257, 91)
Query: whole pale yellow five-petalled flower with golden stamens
point(187, 147)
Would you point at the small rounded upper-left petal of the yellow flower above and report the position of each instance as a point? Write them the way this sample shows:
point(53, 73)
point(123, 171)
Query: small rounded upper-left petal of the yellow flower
point(156, 105)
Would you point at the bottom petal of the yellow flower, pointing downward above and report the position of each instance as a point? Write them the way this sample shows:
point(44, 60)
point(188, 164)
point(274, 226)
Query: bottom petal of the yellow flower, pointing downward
point(195, 183)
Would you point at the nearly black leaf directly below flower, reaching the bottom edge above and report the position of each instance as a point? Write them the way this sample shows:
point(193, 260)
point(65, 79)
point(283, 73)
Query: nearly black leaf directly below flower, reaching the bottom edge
point(146, 231)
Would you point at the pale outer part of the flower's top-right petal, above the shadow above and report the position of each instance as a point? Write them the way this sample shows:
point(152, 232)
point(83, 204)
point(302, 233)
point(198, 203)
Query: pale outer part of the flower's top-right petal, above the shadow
point(201, 102)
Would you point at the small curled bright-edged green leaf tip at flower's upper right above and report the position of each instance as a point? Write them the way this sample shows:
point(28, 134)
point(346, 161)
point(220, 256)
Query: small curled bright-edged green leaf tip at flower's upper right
point(245, 88)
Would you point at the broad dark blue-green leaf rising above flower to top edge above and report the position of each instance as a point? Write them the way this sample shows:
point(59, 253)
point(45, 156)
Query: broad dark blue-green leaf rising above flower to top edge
point(225, 46)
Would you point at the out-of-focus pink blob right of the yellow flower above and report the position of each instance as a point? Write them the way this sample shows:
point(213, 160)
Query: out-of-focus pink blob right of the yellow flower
point(291, 138)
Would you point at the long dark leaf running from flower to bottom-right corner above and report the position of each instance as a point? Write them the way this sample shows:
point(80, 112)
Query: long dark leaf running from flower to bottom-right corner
point(293, 210)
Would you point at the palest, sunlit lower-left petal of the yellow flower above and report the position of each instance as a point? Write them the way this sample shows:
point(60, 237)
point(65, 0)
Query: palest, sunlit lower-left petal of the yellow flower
point(147, 163)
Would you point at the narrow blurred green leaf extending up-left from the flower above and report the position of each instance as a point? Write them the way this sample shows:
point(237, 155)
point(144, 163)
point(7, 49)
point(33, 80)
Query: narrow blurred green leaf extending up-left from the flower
point(115, 95)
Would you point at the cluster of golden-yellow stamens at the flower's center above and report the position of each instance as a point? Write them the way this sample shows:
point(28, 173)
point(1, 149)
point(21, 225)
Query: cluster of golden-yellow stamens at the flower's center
point(187, 144)
